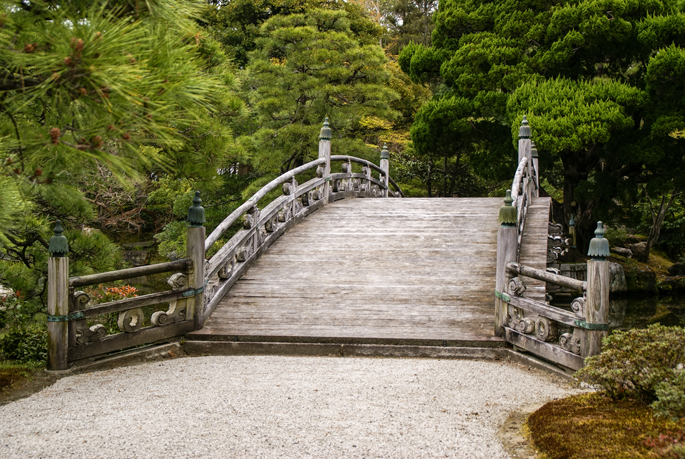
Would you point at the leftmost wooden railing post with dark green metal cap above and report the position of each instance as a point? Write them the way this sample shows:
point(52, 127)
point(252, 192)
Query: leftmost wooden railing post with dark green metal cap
point(58, 301)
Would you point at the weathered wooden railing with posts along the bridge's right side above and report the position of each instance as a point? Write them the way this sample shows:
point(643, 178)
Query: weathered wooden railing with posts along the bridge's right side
point(555, 334)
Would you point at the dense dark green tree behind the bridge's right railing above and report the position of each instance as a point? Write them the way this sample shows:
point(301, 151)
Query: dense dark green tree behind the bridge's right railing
point(601, 84)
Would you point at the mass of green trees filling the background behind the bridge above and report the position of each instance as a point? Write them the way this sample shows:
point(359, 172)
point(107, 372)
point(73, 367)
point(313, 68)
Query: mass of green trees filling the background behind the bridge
point(113, 112)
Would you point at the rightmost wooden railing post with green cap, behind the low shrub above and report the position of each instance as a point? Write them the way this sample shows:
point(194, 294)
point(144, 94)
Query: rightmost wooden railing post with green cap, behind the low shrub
point(597, 302)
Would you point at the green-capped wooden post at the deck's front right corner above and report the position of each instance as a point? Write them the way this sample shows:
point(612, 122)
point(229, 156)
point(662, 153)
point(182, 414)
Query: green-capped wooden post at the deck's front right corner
point(506, 252)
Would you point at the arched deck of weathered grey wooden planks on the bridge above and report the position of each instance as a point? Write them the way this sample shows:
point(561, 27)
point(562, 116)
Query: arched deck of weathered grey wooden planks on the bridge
point(400, 271)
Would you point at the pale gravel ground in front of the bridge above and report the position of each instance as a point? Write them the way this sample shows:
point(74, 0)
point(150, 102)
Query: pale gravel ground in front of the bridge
point(276, 407)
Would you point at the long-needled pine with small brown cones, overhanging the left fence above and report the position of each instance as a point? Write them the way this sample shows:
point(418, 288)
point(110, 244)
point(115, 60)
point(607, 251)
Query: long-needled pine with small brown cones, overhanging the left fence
point(133, 87)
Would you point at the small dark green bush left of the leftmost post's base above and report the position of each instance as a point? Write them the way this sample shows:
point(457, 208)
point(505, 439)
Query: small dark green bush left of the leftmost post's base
point(25, 344)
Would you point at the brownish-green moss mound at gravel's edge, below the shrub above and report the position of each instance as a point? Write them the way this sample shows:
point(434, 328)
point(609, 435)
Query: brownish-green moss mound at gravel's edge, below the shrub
point(592, 425)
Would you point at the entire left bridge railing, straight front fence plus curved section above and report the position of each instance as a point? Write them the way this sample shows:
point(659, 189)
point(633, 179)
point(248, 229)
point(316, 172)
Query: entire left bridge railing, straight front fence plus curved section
point(197, 284)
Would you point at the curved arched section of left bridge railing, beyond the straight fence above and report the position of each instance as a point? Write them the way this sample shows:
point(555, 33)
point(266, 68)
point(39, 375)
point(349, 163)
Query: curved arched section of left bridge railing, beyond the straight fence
point(261, 227)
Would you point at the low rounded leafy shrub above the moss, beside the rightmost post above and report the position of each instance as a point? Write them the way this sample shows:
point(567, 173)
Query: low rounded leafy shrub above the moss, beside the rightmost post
point(633, 363)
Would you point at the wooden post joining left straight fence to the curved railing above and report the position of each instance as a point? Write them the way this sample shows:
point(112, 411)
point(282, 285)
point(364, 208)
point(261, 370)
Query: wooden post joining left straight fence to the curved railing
point(195, 249)
